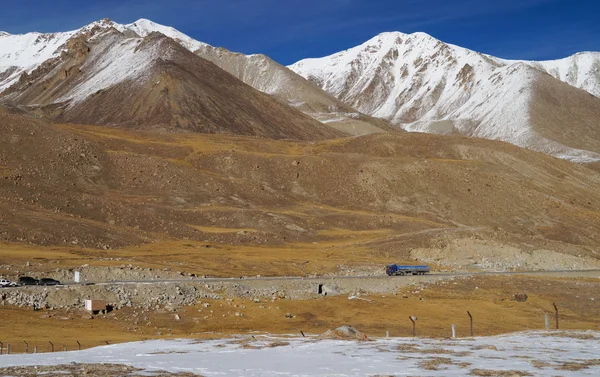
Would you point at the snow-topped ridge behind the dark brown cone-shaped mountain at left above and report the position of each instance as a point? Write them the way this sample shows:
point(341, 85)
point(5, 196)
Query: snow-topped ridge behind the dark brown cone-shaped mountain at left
point(21, 54)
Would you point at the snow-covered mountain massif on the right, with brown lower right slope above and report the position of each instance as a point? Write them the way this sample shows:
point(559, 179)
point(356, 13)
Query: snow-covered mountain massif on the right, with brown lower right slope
point(422, 84)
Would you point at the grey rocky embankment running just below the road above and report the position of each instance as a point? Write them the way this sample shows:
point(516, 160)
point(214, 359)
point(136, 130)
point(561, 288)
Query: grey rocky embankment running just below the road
point(149, 296)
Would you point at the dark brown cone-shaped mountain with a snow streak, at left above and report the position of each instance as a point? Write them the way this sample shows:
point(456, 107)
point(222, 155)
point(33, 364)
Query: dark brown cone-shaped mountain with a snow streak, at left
point(107, 78)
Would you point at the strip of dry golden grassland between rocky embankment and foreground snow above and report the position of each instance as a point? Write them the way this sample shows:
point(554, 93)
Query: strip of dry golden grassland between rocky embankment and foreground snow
point(438, 306)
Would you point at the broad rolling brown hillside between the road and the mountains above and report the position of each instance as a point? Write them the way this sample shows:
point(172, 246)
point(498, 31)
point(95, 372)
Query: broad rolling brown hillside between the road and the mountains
point(388, 196)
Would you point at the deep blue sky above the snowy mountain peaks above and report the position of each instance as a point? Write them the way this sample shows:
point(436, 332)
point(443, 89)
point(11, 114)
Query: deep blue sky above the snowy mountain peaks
point(289, 30)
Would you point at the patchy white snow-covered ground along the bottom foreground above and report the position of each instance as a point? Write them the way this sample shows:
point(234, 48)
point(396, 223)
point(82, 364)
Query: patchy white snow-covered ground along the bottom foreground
point(530, 354)
